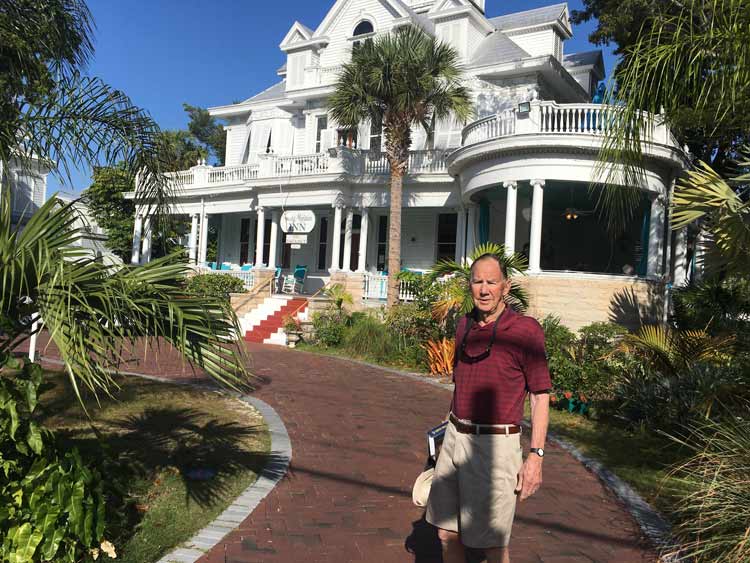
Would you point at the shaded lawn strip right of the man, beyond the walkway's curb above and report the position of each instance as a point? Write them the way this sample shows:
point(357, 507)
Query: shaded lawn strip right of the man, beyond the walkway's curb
point(640, 458)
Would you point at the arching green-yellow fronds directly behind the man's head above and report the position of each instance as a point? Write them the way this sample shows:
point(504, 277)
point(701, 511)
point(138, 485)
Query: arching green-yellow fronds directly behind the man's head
point(457, 299)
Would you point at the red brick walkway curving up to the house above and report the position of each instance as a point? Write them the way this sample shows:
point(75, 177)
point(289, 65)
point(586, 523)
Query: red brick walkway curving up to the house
point(358, 442)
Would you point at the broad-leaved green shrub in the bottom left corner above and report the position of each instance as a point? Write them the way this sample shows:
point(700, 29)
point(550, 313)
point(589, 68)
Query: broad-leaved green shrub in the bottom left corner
point(51, 504)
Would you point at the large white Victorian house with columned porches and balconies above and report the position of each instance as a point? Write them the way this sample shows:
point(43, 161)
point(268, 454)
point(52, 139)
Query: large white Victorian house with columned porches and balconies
point(519, 174)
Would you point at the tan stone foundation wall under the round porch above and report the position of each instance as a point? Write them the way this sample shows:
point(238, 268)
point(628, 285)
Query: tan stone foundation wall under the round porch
point(583, 299)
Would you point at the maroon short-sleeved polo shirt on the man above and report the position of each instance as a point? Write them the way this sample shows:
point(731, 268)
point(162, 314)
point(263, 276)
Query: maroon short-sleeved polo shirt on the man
point(493, 390)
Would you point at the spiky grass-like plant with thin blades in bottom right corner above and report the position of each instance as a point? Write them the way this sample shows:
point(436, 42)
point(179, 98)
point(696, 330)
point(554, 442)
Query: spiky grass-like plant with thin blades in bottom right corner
point(712, 518)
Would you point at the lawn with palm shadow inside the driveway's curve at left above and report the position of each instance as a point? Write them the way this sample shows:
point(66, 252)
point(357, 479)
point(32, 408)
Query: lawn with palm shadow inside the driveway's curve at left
point(182, 455)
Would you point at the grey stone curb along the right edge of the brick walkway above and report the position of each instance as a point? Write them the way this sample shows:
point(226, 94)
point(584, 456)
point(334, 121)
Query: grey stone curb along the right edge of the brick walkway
point(651, 523)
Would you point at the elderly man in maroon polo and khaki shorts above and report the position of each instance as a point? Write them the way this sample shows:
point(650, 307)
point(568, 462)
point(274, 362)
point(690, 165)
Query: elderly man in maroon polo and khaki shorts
point(480, 470)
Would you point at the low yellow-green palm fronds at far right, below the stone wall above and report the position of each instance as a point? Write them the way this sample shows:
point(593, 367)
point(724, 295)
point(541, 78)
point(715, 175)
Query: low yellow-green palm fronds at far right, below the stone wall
point(672, 352)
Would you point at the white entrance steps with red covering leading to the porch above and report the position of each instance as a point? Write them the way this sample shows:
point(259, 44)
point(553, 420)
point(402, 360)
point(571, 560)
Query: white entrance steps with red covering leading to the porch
point(264, 323)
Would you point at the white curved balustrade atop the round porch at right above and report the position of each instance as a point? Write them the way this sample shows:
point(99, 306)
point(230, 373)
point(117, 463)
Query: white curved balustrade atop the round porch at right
point(554, 118)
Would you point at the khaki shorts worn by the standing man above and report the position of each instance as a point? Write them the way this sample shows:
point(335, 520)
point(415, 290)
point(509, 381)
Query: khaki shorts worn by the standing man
point(473, 489)
